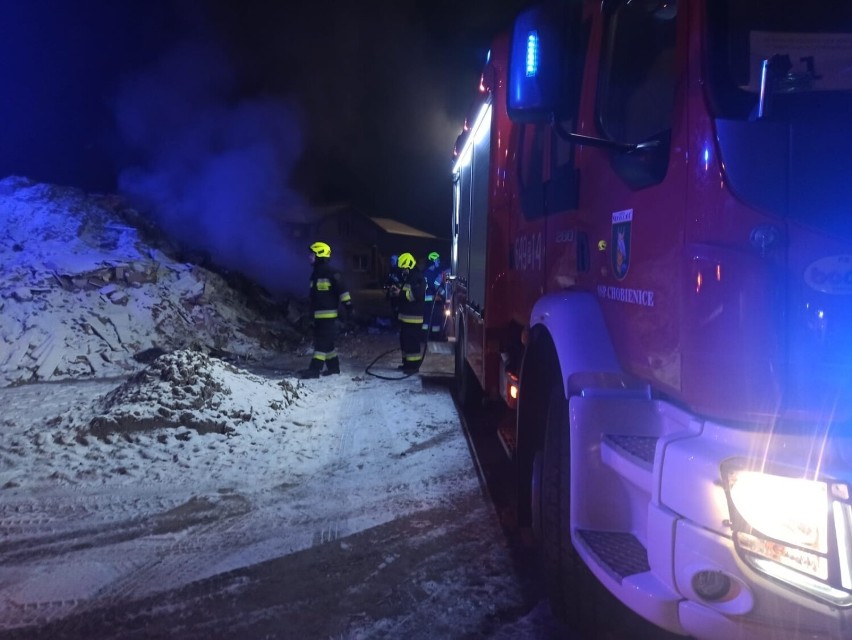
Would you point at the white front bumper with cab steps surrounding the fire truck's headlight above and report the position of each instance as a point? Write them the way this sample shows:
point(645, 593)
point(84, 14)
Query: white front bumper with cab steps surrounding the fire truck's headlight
point(659, 492)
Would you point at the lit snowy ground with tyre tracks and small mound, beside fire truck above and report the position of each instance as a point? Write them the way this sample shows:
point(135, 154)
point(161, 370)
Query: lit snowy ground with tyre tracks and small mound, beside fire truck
point(193, 468)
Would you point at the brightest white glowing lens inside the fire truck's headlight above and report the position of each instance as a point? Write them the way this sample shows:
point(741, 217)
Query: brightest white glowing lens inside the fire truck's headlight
point(790, 510)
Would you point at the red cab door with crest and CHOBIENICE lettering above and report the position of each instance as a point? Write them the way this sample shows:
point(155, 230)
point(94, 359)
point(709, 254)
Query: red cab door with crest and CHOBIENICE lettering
point(635, 200)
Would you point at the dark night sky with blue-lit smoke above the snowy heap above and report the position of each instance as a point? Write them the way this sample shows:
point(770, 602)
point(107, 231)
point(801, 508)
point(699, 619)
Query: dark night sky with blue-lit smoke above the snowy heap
point(252, 105)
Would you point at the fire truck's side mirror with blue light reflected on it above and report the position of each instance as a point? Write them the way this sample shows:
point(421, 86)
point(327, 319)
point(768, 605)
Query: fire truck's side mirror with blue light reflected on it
point(539, 63)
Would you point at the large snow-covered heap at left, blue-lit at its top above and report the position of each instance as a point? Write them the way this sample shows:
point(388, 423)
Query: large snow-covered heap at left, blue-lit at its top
point(82, 291)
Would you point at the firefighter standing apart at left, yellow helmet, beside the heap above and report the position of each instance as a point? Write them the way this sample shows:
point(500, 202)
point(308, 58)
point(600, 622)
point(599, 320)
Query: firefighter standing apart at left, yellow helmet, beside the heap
point(328, 292)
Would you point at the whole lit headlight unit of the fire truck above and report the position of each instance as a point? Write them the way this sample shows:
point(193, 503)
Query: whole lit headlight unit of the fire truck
point(793, 528)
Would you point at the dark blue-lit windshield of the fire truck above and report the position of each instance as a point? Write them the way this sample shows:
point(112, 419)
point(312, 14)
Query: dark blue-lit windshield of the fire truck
point(780, 90)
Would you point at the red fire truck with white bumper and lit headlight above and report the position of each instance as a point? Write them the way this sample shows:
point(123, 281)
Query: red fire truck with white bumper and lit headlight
point(652, 268)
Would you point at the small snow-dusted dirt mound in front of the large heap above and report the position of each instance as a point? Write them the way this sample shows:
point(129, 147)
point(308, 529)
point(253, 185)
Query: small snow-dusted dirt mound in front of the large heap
point(189, 389)
